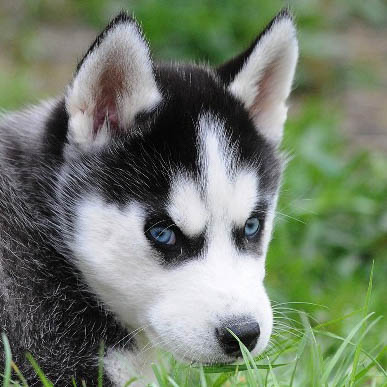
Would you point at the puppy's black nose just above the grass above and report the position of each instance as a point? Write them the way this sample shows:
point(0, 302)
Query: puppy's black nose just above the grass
point(247, 331)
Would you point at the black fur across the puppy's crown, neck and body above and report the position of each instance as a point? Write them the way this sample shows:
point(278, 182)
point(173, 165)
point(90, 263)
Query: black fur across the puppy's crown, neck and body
point(47, 308)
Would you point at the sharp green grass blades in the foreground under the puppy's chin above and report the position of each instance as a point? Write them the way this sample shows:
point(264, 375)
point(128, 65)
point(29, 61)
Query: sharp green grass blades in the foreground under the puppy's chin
point(300, 355)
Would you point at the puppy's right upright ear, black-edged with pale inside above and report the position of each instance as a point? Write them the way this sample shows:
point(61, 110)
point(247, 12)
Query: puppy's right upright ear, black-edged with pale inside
point(262, 76)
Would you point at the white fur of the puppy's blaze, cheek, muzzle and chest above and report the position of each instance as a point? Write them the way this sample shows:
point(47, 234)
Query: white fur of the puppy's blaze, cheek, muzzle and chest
point(178, 308)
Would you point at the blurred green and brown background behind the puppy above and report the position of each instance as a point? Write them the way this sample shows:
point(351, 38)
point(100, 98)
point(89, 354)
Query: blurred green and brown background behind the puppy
point(332, 217)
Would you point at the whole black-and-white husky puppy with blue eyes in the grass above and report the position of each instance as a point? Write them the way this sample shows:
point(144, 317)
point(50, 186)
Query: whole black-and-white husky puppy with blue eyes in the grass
point(137, 208)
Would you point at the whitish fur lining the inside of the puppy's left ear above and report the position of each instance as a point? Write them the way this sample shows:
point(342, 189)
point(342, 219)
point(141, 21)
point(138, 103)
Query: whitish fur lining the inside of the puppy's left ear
point(122, 51)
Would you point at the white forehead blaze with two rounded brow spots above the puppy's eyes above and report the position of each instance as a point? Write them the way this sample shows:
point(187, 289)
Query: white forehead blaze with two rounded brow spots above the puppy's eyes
point(224, 191)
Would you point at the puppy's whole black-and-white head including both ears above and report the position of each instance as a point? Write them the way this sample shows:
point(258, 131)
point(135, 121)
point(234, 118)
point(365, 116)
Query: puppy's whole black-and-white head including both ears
point(169, 187)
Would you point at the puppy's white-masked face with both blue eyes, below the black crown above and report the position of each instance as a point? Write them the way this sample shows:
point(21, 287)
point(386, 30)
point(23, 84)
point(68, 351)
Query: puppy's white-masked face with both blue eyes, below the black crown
point(190, 263)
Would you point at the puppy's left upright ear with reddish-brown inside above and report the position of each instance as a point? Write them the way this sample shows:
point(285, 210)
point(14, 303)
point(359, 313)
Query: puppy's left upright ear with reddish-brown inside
point(113, 82)
